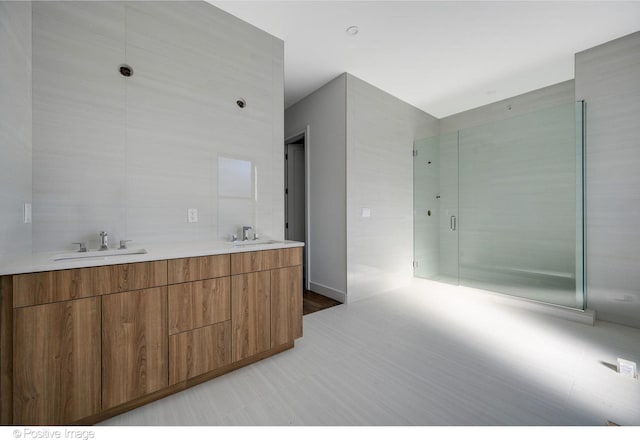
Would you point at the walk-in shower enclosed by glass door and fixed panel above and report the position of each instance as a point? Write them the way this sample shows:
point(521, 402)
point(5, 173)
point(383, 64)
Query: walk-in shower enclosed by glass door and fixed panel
point(499, 207)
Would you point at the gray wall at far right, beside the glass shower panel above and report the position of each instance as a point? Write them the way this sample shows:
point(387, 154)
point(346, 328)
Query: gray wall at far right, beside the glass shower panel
point(608, 79)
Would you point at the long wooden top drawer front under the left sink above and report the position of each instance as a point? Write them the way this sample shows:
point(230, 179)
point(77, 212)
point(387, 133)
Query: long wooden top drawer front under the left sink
point(61, 285)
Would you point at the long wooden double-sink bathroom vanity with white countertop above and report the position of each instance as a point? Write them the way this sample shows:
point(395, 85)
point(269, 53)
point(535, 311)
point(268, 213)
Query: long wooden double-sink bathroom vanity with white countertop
point(84, 340)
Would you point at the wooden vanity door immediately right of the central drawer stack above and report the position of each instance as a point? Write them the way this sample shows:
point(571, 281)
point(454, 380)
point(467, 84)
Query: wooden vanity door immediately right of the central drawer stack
point(250, 314)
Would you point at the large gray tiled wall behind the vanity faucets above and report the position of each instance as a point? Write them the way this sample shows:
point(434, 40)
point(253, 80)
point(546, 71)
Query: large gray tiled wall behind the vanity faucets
point(131, 155)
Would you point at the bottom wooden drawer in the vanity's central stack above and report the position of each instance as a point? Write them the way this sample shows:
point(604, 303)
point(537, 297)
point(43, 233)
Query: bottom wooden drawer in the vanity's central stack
point(199, 351)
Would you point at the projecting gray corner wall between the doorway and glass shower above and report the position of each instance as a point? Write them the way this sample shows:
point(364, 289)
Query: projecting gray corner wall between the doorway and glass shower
point(360, 157)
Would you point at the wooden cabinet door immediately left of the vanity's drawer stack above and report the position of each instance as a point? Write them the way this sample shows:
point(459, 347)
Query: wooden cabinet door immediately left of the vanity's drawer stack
point(134, 345)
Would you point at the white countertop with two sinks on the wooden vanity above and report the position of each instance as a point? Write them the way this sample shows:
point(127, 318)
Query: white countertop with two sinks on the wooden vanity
point(161, 251)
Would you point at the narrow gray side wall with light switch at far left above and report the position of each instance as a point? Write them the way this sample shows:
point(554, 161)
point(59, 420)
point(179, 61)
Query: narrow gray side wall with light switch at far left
point(15, 126)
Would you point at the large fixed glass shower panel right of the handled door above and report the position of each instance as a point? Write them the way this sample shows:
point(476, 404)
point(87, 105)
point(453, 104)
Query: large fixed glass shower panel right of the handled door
point(518, 233)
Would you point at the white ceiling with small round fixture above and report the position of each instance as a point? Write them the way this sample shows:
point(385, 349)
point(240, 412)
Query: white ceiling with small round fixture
point(442, 57)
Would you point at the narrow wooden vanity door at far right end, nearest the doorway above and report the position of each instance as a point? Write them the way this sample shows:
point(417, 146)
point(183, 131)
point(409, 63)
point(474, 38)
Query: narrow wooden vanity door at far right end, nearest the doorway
point(286, 305)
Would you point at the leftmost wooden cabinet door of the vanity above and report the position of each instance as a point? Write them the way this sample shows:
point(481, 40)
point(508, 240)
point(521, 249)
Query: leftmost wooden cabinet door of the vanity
point(56, 362)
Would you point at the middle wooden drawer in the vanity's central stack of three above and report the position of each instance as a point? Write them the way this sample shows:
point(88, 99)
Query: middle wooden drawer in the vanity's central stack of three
point(199, 303)
